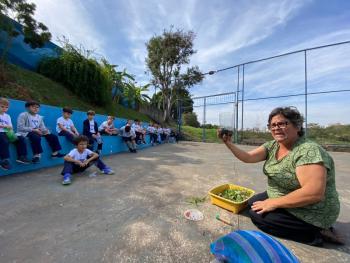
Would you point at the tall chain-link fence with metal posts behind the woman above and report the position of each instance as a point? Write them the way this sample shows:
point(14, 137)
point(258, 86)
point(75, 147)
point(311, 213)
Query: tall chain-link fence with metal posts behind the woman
point(315, 80)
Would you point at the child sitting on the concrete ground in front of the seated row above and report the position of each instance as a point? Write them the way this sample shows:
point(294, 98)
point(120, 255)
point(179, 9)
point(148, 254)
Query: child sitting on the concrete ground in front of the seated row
point(81, 158)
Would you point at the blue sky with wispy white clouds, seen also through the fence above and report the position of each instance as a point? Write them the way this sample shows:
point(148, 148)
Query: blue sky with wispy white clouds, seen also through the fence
point(228, 33)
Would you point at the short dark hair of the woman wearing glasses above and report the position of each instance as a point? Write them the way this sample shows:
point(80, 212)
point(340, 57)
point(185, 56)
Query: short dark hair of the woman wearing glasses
point(292, 114)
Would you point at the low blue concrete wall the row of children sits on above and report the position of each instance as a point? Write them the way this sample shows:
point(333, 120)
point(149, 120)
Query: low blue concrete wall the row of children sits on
point(111, 145)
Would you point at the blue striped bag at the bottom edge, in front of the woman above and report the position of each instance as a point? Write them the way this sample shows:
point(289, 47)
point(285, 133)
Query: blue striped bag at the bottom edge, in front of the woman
point(250, 246)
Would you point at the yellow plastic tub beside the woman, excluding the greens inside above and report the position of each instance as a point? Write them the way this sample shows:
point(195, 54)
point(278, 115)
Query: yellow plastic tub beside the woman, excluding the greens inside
point(227, 204)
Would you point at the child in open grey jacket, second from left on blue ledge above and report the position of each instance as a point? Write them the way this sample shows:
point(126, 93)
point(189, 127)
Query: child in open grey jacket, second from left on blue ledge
point(30, 124)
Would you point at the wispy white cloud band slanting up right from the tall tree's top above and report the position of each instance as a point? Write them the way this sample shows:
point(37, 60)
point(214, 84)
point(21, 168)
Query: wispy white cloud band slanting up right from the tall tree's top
point(238, 29)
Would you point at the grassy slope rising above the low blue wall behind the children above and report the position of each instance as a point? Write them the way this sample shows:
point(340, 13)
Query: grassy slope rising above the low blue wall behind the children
point(24, 85)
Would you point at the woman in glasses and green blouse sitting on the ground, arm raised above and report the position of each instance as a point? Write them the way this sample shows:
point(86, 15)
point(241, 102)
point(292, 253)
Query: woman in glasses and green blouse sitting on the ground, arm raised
point(301, 202)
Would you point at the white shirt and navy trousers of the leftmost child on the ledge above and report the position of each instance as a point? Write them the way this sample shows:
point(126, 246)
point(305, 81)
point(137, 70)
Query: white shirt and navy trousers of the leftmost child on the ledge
point(20, 144)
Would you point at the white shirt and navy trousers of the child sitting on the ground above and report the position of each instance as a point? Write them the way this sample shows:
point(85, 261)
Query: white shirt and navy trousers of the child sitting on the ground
point(70, 167)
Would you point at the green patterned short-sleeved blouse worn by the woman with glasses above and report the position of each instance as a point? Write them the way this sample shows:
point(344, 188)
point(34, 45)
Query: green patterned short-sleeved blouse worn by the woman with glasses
point(282, 180)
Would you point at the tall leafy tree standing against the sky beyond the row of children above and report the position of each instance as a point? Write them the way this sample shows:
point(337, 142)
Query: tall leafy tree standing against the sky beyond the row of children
point(167, 54)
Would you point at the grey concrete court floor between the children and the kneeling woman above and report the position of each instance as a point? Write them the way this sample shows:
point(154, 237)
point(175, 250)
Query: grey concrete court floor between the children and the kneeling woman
point(136, 215)
